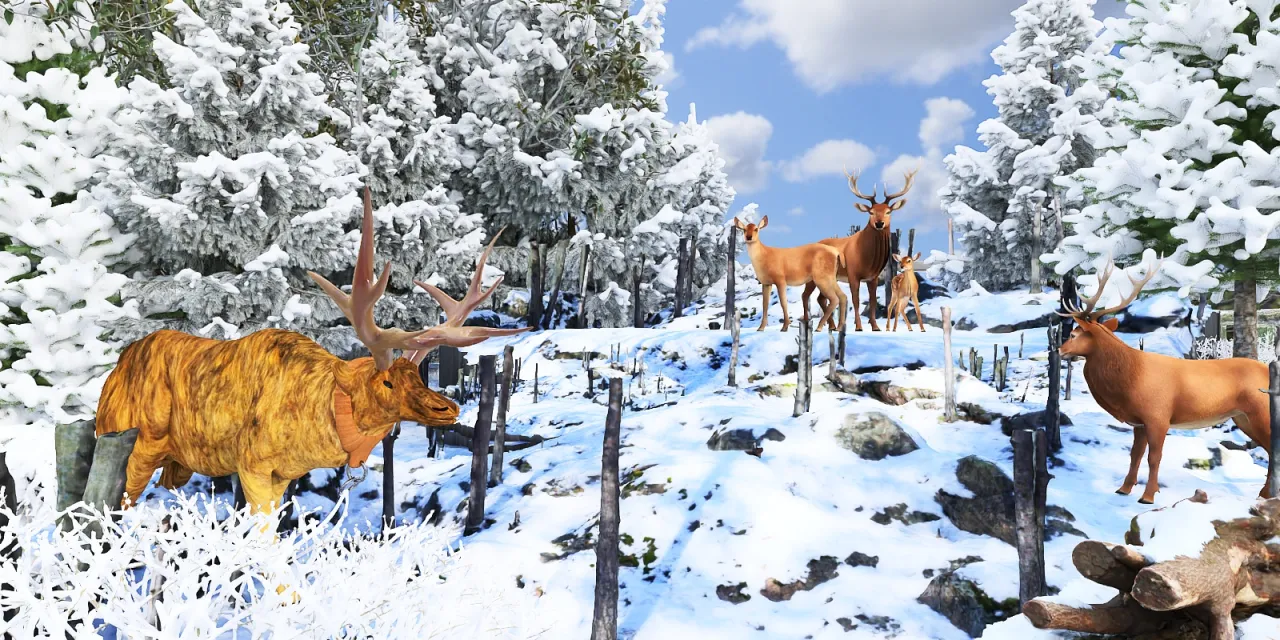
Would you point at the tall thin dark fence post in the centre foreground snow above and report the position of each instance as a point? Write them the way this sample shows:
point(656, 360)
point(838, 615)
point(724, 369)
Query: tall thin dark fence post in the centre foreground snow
point(605, 620)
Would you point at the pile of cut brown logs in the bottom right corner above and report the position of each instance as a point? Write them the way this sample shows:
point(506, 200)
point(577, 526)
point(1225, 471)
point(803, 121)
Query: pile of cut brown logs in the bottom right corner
point(1233, 578)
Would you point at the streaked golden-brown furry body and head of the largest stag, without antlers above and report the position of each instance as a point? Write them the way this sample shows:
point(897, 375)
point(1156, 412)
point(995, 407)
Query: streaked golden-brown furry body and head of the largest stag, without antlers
point(260, 406)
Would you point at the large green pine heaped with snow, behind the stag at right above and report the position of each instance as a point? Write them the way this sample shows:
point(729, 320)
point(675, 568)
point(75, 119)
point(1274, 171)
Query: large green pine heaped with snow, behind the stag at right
point(1191, 168)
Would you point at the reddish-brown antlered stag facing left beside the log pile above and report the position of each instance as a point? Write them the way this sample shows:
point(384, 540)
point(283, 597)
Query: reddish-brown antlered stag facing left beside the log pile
point(1155, 394)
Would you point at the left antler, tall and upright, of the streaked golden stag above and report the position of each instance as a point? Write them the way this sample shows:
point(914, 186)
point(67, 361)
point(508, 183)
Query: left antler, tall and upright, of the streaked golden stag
point(365, 292)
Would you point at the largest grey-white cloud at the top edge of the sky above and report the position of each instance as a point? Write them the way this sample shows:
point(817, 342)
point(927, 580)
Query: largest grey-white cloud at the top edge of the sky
point(836, 43)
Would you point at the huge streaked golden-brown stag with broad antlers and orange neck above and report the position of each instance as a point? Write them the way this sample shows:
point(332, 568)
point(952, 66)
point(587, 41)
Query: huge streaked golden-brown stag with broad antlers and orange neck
point(275, 405)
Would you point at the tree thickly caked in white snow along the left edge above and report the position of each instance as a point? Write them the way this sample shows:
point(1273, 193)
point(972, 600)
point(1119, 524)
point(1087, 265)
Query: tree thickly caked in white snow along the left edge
point(57, 295)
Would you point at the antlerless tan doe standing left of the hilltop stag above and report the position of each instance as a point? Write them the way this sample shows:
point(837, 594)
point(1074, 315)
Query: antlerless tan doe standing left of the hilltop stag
point(812, 266)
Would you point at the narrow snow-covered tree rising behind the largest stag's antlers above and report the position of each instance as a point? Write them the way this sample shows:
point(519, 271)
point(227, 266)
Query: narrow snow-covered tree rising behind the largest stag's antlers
point(412, 154)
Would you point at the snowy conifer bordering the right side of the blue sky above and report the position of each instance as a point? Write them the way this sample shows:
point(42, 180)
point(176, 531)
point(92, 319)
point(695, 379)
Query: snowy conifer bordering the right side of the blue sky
point(1003, 196)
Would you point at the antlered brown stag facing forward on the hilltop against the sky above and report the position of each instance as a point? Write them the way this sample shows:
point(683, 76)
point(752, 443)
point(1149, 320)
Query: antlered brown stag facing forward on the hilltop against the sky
point(867, 252)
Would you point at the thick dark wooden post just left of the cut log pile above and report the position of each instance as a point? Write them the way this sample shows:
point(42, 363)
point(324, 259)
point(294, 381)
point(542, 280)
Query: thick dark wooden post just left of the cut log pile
point(1028, 513)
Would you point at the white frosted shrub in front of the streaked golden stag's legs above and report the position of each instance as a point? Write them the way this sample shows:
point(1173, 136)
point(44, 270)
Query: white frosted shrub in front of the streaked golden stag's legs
point(181, 573)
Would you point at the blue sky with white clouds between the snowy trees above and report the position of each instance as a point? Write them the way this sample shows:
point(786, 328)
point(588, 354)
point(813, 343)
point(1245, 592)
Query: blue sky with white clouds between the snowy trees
point(793, 89)
